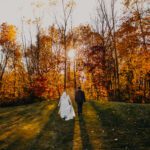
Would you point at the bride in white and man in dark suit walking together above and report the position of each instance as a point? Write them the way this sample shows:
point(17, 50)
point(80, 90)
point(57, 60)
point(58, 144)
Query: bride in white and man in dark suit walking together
point(66, 109)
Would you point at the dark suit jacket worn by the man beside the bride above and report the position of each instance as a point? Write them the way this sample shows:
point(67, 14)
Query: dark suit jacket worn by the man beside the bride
point(79, 96)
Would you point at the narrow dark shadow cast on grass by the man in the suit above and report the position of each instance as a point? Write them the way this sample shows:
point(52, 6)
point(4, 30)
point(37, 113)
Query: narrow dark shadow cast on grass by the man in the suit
point(86, 145)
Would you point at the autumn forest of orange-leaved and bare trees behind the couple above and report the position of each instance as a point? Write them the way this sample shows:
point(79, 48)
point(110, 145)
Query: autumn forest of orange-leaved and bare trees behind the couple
point(111, 59)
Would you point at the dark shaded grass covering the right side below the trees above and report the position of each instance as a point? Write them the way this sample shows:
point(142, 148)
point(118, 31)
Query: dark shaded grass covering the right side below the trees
point(123, 126)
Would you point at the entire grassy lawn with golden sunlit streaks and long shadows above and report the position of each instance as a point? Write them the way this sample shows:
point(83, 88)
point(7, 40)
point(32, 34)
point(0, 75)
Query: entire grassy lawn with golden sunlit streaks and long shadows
point(103, 126)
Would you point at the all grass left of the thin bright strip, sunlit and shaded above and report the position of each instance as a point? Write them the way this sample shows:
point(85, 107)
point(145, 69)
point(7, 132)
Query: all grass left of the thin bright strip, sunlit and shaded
point(35, 126)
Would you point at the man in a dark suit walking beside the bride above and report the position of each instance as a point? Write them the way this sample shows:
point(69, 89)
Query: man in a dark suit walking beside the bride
point(80, 99)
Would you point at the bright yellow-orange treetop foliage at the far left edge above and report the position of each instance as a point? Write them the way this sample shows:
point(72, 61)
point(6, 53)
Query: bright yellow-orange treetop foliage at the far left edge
point(7, 33)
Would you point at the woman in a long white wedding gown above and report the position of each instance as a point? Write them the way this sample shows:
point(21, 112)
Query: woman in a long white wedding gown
point(66, 110)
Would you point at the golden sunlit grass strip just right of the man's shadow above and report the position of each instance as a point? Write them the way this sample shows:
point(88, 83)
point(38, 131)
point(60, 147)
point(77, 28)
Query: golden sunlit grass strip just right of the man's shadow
point(90, 125)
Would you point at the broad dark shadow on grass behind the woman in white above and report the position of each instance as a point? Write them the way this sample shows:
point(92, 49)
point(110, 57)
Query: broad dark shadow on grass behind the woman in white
point(56, 134)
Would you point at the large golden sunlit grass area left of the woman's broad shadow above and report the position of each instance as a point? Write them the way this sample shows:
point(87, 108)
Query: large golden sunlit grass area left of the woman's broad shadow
point(20, 127)
